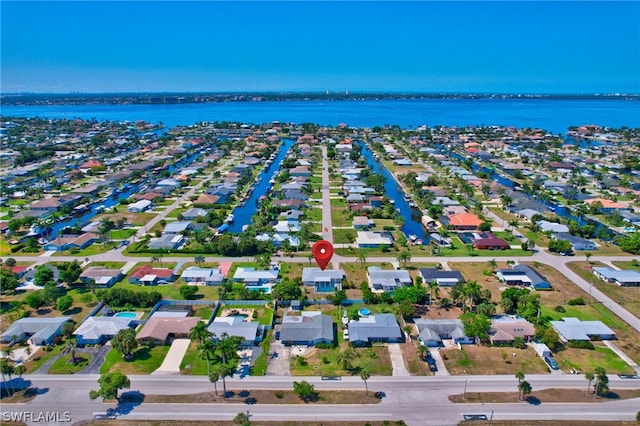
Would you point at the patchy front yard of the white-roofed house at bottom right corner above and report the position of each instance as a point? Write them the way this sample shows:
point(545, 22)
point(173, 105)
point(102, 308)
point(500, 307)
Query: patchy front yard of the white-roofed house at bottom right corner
point(587, 360)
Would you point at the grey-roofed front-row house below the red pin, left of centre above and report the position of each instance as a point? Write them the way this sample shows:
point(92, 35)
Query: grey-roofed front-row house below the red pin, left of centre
point(309, 328)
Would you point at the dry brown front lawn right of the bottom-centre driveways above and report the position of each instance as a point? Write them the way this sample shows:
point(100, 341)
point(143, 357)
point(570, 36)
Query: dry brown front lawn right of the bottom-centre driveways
point(475, 359)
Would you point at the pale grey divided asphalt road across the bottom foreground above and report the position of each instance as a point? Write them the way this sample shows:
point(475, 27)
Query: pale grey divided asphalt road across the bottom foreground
point(417, 400)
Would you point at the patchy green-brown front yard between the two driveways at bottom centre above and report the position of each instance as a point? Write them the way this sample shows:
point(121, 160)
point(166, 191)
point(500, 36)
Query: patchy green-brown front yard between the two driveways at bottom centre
point(324, 362)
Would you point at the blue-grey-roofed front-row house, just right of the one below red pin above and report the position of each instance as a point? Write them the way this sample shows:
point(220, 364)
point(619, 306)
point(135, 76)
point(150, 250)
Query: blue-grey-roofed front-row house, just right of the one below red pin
point(375, 328)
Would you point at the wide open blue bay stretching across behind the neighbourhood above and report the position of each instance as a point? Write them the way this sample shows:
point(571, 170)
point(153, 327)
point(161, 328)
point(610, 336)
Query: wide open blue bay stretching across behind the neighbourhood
point(554, 115)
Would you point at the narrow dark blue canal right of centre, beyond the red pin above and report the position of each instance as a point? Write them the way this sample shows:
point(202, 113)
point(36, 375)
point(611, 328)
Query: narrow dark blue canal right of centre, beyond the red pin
point(413, 217)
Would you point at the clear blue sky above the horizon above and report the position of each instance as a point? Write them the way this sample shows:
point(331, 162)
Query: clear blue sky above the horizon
point(506, 47)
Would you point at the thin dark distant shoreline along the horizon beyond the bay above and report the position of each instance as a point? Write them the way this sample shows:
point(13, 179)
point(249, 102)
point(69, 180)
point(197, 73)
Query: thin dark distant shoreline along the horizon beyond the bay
point(169, 98)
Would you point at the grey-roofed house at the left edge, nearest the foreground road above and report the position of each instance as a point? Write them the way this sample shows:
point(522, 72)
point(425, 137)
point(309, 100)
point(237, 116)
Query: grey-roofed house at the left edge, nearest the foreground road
point(38, 331)
